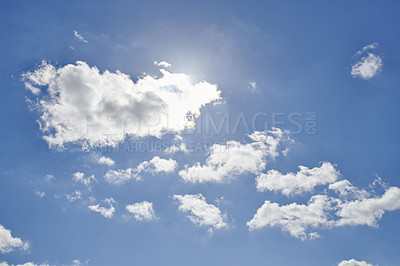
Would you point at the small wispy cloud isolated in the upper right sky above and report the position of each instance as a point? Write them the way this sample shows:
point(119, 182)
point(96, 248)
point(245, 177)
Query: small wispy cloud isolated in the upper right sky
point(368, 66)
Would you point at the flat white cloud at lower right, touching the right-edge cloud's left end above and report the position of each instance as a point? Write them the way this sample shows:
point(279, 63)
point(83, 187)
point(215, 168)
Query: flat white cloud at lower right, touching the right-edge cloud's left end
point(297, 219)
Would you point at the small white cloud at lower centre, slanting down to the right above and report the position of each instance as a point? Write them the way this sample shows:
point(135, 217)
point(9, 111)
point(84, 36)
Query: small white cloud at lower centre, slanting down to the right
point(201, 213)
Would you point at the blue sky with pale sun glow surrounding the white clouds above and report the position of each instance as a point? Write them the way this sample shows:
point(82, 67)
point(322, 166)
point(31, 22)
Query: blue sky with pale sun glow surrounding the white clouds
point(299, 53)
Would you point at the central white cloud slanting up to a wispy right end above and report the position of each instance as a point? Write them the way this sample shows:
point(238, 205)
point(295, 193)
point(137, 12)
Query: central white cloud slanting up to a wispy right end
point(234, 158)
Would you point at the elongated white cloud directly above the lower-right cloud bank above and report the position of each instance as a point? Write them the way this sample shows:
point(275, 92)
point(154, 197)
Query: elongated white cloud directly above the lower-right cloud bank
point(305, 180)
